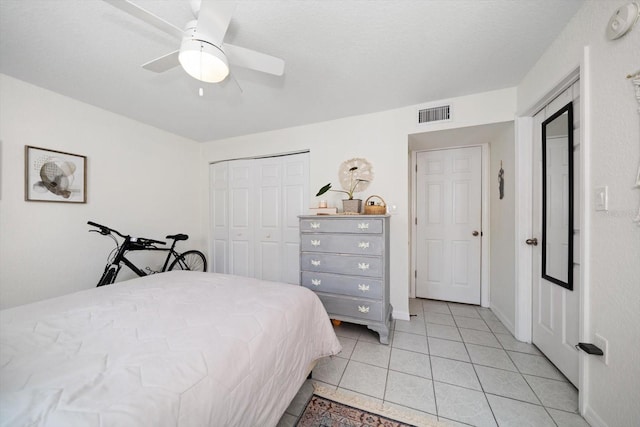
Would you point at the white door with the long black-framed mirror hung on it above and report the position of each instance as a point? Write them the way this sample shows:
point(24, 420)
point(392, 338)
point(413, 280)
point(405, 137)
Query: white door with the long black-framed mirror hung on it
point(556, 309)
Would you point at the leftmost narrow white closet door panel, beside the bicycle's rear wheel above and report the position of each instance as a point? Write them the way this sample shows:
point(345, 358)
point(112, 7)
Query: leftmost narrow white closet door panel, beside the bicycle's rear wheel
point(219, 217)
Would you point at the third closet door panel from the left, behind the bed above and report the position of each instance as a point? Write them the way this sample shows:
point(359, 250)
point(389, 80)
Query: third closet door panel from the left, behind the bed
point(268, 231)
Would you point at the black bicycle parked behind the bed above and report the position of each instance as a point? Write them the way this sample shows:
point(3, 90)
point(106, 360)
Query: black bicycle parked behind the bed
point(190, 260)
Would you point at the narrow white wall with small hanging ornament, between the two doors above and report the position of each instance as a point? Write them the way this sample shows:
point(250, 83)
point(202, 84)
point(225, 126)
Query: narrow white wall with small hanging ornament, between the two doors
point(502, 276)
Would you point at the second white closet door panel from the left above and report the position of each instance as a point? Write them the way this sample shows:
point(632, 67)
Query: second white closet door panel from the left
point(241, 222)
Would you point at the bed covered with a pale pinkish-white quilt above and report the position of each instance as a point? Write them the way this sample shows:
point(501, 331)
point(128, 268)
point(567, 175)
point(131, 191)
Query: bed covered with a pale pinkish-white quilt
point(172, 349)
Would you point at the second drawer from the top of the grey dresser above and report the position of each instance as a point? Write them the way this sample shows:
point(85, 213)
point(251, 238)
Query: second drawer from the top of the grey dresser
point(342, 243)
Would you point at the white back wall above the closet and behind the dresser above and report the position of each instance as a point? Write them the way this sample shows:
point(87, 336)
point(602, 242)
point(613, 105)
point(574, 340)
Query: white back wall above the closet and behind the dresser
point(381, 138)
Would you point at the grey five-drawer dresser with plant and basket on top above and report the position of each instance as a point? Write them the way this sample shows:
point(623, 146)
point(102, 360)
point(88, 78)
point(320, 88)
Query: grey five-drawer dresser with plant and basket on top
point(345, 260)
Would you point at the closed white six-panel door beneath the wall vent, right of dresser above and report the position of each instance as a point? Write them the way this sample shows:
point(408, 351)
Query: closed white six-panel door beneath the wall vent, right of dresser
point(449, 218)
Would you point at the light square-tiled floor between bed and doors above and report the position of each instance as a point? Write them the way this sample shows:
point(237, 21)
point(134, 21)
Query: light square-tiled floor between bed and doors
point(452, 362)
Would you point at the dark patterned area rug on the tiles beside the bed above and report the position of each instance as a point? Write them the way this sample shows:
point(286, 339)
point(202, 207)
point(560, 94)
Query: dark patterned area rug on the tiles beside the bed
point(322, 412)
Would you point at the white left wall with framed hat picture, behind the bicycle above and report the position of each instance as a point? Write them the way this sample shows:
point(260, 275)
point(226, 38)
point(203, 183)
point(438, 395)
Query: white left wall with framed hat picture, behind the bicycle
point(140, 180)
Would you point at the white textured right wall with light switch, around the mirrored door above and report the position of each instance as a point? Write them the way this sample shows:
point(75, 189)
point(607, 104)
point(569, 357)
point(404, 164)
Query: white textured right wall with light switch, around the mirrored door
point(611, 241)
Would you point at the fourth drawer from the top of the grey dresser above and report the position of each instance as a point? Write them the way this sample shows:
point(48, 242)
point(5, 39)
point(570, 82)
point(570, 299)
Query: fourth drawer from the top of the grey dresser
point(343, 285)
